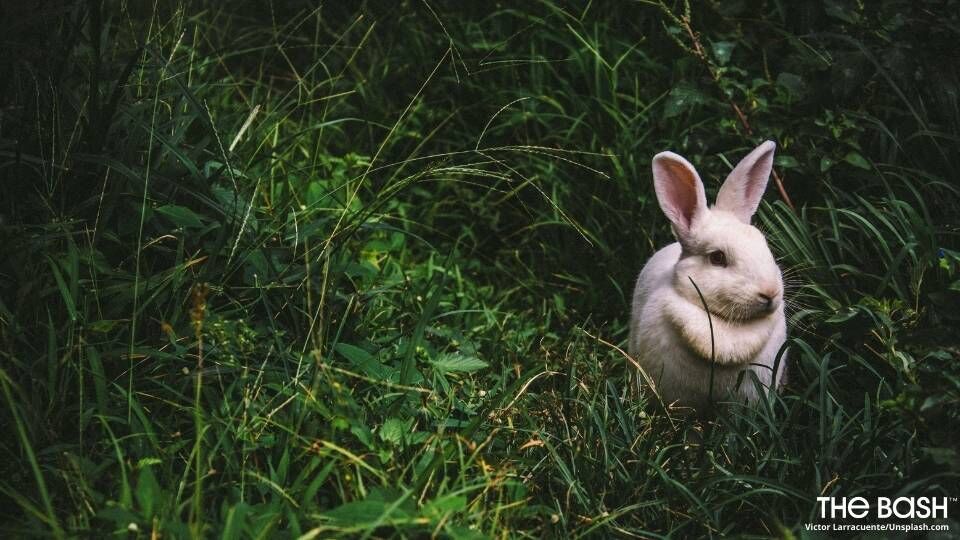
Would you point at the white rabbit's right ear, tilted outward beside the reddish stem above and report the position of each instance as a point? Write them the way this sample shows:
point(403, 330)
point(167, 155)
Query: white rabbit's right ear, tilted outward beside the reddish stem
point(741, 192)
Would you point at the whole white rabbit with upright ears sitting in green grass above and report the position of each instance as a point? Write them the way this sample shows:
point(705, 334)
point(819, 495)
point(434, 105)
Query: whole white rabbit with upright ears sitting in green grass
point(730, 262)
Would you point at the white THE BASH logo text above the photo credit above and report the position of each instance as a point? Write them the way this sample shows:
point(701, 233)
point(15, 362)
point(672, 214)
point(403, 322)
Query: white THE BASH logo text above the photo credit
point(900, 507)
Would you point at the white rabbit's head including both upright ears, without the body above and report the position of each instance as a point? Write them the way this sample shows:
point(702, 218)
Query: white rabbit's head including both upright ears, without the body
point(725, 255)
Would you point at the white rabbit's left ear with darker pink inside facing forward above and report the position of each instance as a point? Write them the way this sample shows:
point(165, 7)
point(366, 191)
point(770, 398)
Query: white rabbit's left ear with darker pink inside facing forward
point(679, 191)
